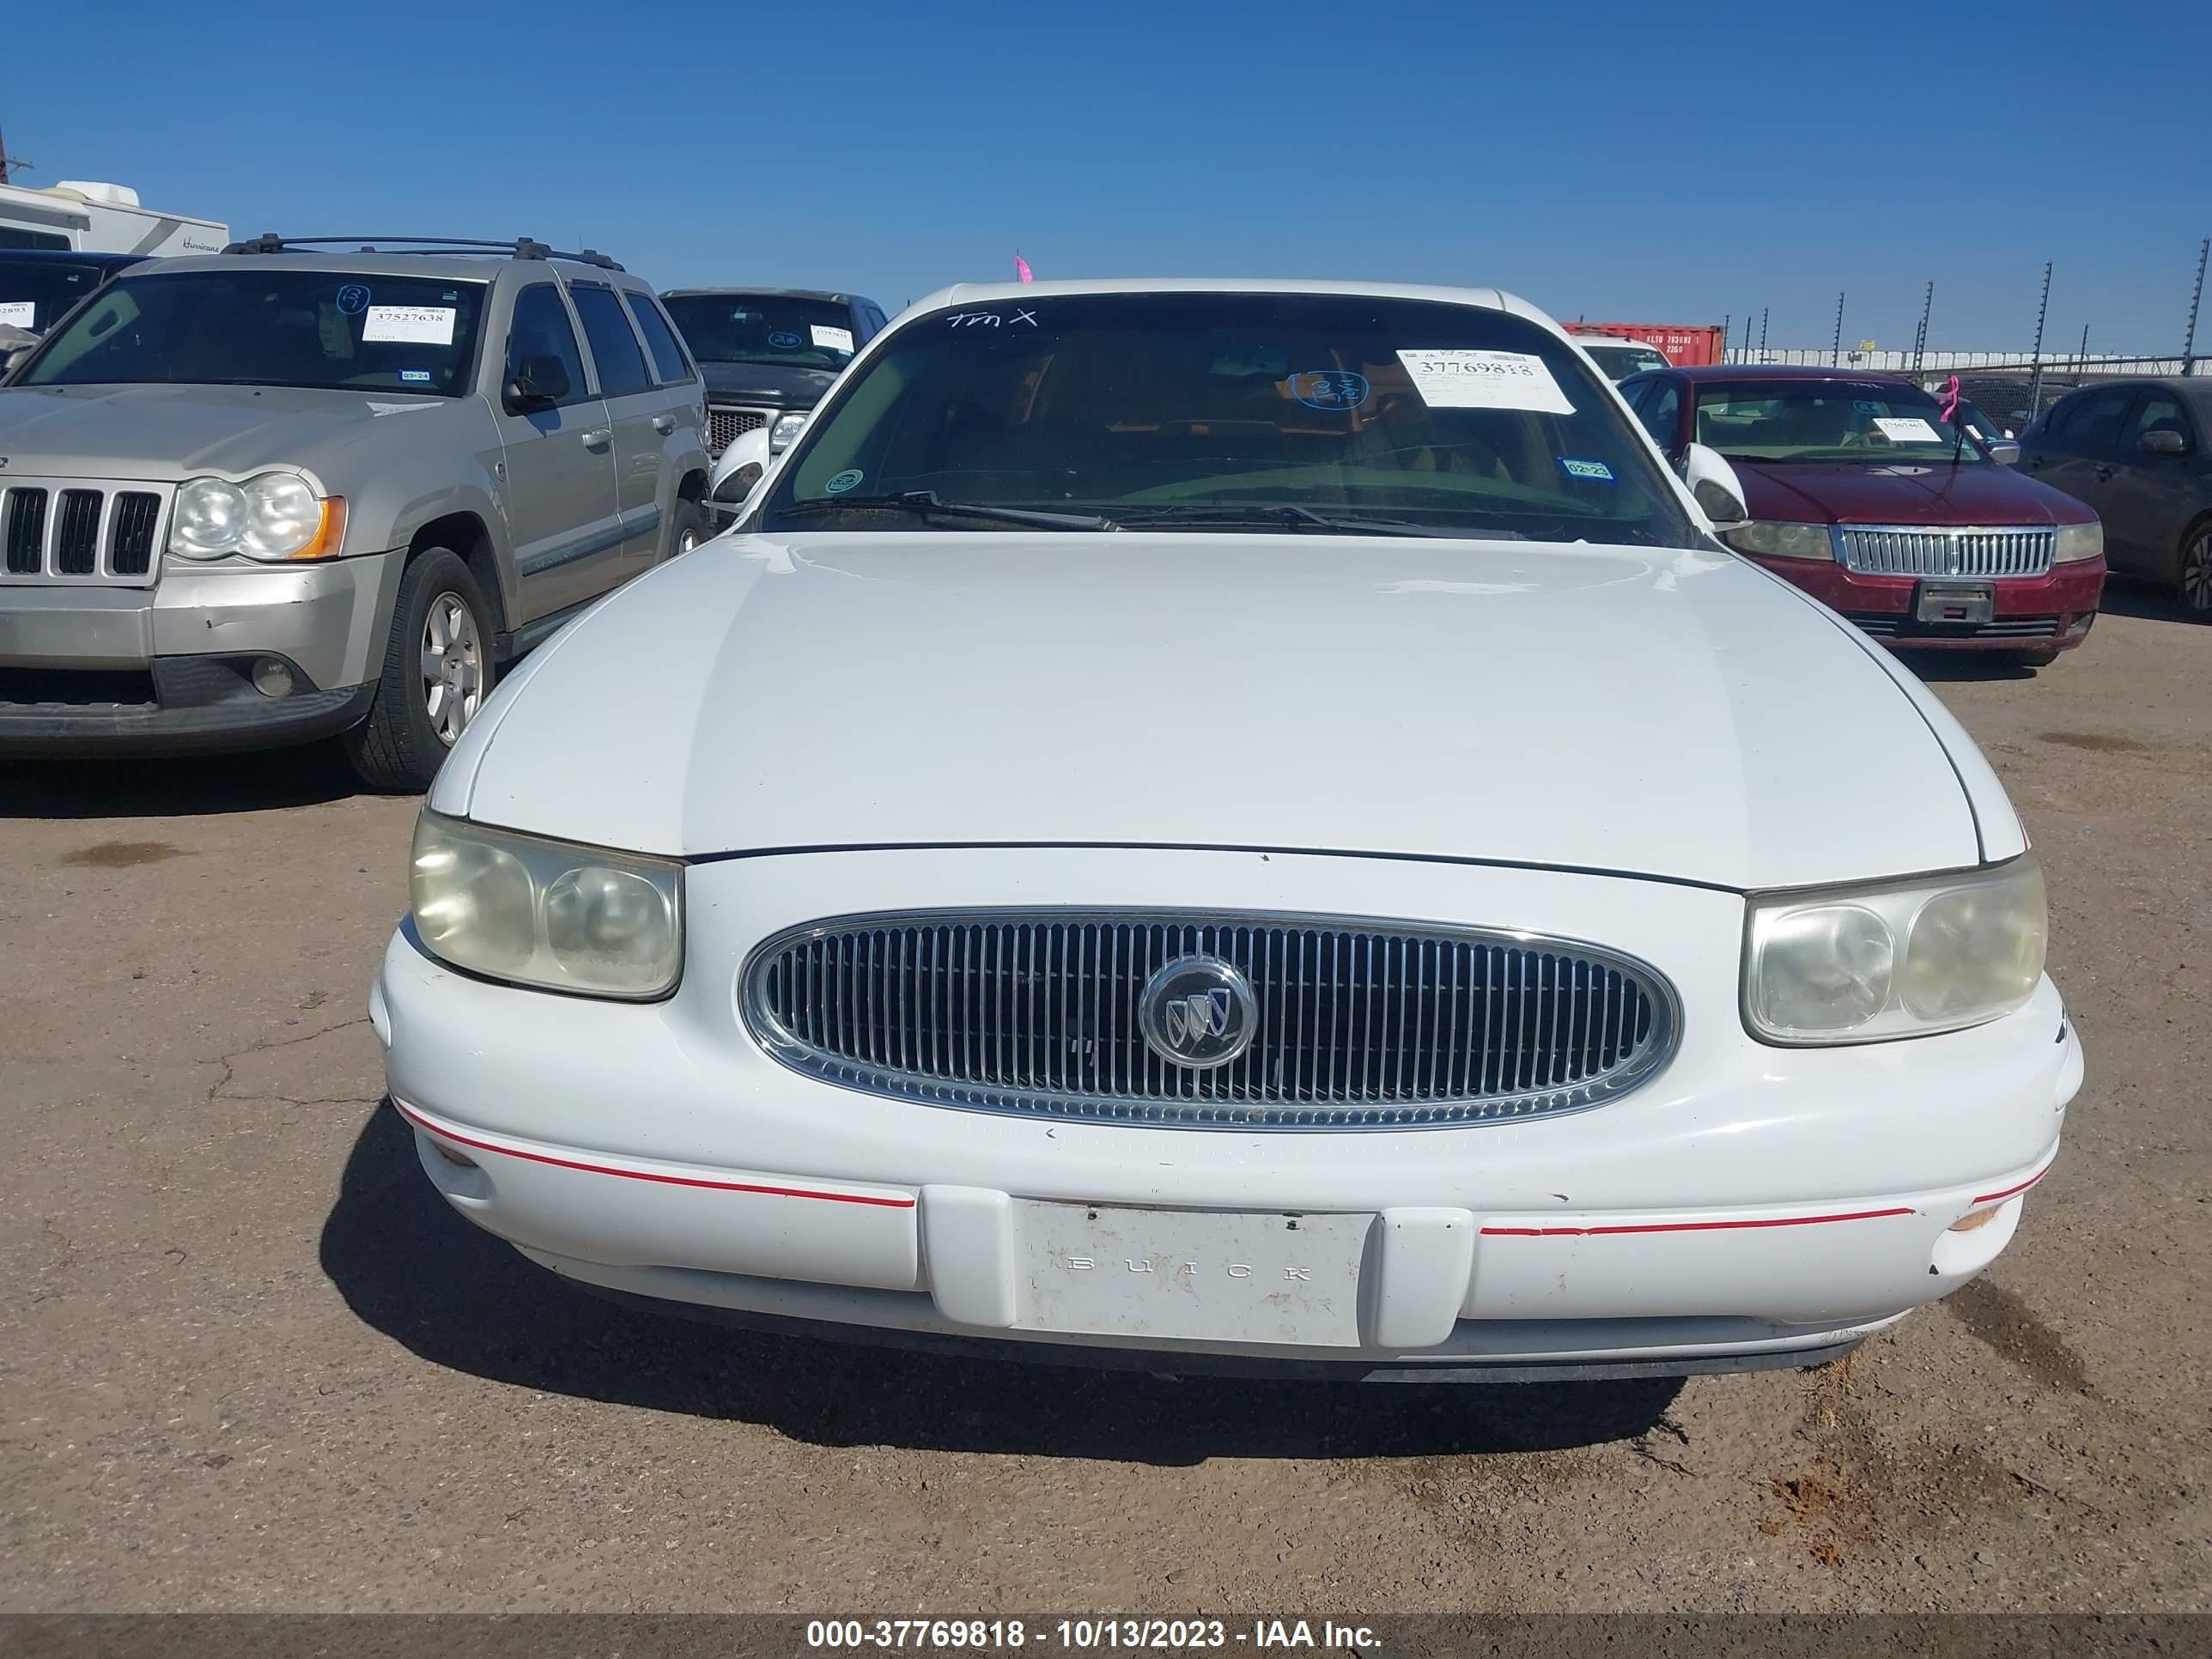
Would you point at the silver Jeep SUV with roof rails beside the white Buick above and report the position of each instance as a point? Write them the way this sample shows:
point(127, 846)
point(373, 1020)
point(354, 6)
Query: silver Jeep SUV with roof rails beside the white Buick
point(282, 494)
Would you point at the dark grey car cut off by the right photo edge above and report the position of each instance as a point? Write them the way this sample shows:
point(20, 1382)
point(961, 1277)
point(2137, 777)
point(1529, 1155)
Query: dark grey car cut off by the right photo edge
point(2140, 452)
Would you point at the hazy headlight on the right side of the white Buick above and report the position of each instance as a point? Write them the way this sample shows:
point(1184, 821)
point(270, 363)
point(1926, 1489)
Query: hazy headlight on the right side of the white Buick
point(1895, 961)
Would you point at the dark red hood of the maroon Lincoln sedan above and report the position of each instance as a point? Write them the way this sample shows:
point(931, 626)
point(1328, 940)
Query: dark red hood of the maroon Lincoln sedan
point(1903, 494)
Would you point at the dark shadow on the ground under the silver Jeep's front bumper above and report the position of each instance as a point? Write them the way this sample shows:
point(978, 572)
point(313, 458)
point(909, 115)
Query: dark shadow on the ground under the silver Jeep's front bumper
point(176, 786)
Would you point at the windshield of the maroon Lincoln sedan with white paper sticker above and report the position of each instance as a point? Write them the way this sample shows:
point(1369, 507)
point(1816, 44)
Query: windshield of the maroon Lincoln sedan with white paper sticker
point(1828, 421)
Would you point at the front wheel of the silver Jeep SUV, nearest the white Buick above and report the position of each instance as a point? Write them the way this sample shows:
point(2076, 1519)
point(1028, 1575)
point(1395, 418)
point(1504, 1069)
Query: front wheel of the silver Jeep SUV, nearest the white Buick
point(437, 676)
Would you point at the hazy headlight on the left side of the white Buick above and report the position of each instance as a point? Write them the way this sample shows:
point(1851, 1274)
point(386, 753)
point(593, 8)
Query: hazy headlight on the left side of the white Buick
point(547, 912)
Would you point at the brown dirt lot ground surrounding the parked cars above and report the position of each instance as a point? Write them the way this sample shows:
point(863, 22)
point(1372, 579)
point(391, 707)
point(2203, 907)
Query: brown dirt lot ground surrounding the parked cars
point(251, 1361)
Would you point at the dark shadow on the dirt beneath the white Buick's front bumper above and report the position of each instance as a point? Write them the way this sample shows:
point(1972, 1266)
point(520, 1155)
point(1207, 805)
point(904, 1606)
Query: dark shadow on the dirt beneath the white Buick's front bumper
point(457, 1297)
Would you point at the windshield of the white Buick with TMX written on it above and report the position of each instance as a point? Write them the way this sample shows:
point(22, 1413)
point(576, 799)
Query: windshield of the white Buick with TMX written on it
point(1233, 413)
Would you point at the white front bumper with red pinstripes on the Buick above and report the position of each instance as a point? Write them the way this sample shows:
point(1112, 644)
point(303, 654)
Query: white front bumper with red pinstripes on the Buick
point(1744, 1202)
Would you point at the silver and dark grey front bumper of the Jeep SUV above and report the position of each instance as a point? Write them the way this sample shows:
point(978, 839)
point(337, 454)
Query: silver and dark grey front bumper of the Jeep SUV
point(169, 669)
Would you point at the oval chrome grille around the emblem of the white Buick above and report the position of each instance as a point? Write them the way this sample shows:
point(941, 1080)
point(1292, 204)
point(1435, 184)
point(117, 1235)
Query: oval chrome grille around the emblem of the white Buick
point(1361, 1025)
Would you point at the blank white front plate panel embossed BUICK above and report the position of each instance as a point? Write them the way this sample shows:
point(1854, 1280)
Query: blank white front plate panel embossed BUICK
point(1191, 1273)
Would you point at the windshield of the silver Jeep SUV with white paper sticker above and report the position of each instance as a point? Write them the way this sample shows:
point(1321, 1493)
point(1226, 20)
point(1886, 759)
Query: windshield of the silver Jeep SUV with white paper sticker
point(260, 326)
